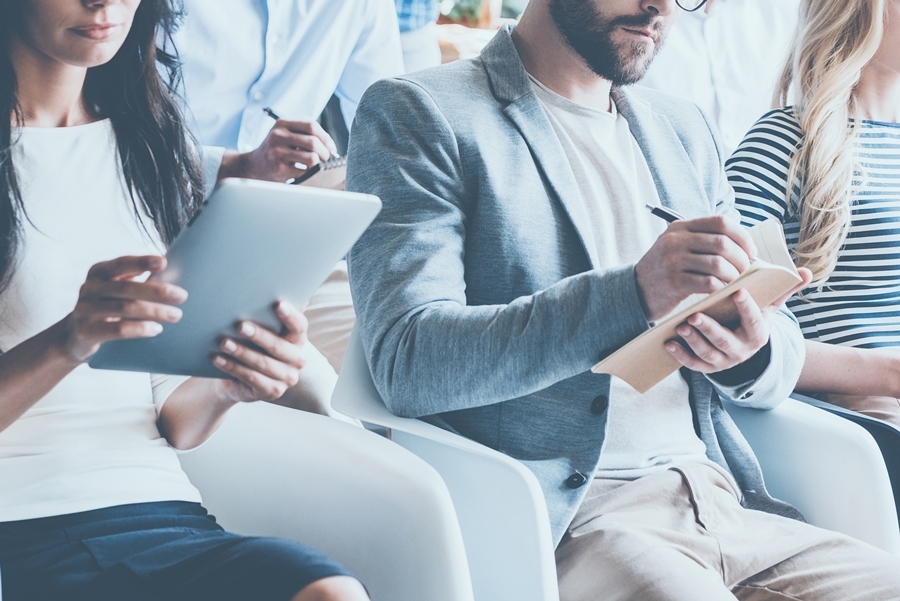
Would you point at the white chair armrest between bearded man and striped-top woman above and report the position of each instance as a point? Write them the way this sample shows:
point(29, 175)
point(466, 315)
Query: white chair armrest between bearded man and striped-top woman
point(828, 468)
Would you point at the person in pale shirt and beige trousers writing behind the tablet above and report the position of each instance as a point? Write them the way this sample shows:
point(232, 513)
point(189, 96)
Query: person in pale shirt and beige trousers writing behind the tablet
point(290, 56)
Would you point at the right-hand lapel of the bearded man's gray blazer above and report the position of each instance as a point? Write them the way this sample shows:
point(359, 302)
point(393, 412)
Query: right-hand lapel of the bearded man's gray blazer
point(673, 171)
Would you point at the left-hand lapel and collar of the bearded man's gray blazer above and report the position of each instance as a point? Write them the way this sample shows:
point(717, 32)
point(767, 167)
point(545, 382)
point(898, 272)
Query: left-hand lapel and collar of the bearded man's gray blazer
point(512, 87)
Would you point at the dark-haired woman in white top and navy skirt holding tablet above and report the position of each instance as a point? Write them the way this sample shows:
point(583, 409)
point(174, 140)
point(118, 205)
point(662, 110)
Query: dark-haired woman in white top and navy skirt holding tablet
point(97, 174)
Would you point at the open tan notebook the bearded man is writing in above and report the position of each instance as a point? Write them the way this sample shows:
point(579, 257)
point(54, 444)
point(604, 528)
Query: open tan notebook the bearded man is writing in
point(644, 362)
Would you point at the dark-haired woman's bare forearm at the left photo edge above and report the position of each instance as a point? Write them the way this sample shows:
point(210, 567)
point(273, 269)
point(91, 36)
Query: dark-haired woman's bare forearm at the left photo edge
point(29, 371)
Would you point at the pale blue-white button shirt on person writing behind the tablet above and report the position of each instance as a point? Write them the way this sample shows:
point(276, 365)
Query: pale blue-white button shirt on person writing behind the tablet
point(291, 55)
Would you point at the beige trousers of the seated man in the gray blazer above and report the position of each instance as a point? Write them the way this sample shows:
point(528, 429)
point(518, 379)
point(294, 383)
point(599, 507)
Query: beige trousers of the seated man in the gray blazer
point(681, 535)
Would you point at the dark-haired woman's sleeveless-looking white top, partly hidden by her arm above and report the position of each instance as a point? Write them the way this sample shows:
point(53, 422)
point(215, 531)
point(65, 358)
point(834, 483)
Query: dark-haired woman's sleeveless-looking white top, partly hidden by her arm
point(92, 442)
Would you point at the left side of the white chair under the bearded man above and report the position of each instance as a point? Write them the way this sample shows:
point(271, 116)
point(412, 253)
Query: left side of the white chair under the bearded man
point(500, 505)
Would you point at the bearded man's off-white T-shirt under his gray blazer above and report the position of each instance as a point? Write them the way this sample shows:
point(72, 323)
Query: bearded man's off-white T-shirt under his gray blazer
point(649, 432)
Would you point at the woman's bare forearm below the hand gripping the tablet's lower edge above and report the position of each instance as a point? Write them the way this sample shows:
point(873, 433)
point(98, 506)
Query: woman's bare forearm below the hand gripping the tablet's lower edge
point(193, 413)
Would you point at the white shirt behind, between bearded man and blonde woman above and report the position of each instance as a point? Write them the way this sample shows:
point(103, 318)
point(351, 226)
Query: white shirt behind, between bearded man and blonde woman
point(727, 61)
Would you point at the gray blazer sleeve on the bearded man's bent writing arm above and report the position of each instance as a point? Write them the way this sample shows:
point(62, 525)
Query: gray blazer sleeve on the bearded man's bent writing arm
point(430, 352)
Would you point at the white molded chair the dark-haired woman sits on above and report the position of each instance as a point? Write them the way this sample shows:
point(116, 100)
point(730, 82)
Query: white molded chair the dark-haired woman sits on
point(380, 511)
